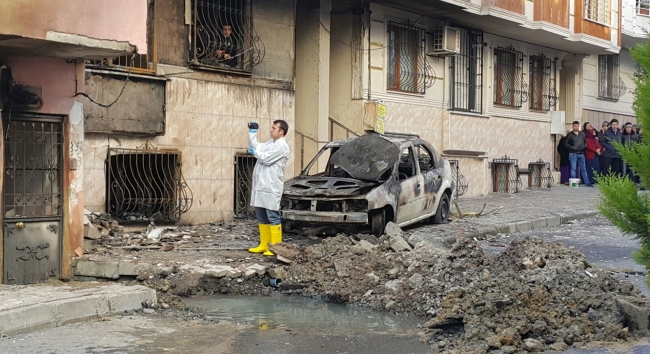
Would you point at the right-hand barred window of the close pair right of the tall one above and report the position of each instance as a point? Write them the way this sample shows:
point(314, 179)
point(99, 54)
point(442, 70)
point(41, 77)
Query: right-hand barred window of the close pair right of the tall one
point(542, 78)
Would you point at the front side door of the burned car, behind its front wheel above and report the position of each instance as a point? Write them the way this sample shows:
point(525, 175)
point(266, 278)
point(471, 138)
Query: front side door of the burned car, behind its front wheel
point(411, 192)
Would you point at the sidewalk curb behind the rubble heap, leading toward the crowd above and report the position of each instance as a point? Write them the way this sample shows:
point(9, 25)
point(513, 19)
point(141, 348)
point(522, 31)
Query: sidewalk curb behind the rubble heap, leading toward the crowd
point(535, 224)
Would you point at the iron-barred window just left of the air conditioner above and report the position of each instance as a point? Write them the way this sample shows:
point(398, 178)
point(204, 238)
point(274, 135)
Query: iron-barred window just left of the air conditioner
point(408, 69)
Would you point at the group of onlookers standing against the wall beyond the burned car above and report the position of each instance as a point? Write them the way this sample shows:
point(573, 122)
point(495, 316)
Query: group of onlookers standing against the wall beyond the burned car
point(589, 152)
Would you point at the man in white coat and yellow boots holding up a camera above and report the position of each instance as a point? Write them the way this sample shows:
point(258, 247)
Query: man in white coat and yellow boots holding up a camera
point(268, 183)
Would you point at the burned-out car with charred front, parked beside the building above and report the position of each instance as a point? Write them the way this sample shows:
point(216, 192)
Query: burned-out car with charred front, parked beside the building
point(370, 180)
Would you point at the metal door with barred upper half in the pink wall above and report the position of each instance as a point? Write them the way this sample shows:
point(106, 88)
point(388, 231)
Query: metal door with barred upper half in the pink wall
point(32, 199)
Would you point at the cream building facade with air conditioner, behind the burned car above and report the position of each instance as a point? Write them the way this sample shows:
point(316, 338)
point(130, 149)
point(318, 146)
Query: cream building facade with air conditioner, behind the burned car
point(494, 94)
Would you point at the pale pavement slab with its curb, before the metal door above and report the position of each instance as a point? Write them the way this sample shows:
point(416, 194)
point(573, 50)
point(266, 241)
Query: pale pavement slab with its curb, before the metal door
point(27, 308)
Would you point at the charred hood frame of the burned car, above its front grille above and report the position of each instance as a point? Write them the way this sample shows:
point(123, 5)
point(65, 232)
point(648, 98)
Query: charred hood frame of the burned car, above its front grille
point(317, 186)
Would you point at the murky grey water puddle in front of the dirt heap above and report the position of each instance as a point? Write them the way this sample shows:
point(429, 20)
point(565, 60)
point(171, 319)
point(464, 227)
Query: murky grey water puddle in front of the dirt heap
point(298, 313)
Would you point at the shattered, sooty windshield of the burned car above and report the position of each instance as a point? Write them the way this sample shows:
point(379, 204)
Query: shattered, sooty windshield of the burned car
point(367, 157)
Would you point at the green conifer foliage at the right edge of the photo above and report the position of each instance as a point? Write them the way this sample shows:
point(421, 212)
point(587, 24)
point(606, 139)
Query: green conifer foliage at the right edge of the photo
point(621, 202)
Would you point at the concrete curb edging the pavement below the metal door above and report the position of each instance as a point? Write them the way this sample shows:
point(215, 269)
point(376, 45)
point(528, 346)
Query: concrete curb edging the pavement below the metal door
point(58, 312)
